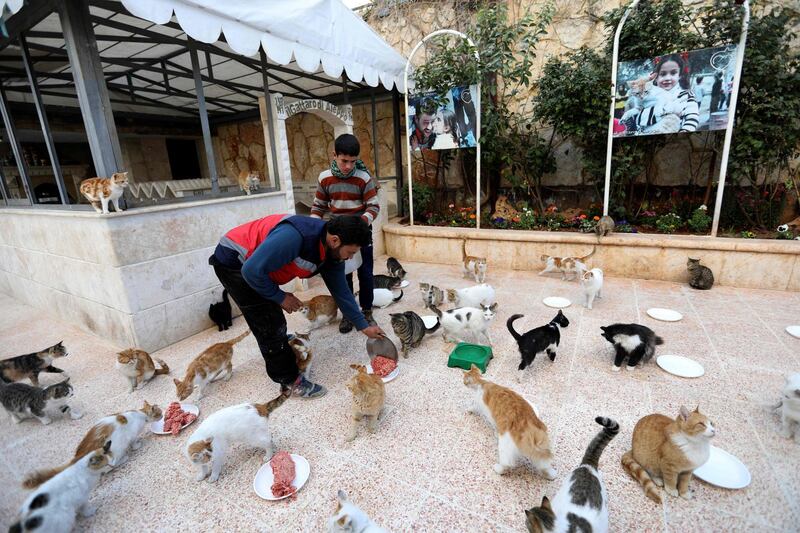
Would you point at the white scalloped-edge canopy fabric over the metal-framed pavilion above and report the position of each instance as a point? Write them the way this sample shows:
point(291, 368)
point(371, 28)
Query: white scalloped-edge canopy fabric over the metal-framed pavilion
point(313, 31)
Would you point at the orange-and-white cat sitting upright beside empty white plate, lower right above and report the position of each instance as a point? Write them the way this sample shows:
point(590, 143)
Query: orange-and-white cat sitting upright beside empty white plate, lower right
point(665, 452)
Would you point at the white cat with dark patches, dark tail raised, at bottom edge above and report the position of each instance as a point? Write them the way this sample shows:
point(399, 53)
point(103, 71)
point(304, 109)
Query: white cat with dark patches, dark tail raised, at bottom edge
point(581, 503)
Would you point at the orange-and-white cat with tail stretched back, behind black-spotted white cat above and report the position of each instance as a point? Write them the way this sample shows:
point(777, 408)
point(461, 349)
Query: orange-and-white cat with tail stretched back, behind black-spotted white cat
point(124, 430)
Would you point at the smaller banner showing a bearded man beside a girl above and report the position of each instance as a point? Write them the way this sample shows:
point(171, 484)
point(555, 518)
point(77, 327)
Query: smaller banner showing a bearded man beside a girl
point(443, 122)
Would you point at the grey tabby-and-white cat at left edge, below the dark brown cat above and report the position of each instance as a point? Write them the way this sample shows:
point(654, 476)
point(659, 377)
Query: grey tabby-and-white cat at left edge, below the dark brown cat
point(25, 401)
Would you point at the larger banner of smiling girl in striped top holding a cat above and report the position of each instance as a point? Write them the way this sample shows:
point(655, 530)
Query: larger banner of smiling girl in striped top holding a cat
point(675, 93)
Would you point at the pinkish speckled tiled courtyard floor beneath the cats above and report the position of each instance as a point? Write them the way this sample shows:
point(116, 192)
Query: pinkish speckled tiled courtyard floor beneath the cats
point(429, 466)
